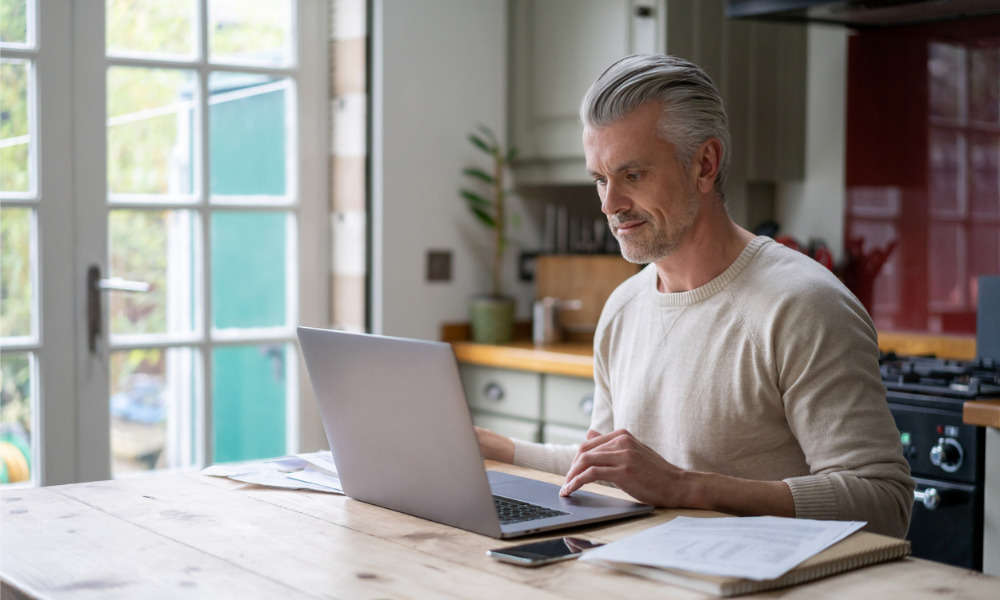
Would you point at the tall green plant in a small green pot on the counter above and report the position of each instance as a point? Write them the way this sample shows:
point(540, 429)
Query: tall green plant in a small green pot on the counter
point(492, 315)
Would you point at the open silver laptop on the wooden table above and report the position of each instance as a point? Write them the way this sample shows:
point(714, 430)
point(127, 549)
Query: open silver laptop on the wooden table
point(401, 433)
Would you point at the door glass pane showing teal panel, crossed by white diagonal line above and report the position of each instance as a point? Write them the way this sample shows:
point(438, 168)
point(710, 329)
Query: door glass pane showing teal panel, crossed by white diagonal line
point(247, 136)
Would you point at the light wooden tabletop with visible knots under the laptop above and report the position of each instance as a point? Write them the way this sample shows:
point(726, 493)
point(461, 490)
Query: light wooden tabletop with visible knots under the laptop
point(191, 536)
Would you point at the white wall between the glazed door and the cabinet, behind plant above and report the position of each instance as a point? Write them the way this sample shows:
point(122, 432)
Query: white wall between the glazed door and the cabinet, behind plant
point(439, 69)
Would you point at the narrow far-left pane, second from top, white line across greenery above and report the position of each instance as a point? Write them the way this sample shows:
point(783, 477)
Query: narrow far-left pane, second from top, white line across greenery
point(15, 133)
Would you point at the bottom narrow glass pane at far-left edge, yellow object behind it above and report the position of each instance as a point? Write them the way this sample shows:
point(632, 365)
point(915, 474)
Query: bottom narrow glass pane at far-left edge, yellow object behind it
point(16, 392)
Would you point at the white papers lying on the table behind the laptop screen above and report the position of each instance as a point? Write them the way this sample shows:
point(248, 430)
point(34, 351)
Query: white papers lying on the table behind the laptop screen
point(310, 471)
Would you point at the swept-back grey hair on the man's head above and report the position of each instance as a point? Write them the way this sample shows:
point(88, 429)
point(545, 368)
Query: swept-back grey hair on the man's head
point(692, 106)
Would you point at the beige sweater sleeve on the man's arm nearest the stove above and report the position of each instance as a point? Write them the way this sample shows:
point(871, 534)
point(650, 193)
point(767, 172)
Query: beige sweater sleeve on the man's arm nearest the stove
point(834, 401)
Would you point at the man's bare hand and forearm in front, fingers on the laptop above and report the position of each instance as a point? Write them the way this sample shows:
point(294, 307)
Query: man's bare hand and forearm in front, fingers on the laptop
point(619, 458)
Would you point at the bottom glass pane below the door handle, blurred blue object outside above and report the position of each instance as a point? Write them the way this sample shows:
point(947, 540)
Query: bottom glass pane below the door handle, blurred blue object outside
point(153, 403)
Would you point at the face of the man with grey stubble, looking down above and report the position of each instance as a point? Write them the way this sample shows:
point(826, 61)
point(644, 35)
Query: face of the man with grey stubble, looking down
point(650, 201)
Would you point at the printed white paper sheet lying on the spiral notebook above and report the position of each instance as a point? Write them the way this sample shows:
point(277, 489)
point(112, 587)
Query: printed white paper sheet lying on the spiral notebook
point(752, 547)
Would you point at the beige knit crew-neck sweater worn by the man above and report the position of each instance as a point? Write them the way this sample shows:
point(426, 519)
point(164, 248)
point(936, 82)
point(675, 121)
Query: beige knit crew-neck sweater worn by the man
point(767, 372)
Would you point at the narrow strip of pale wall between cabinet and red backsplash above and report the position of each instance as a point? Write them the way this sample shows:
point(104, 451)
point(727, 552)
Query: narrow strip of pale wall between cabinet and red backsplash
point(814, 207)
